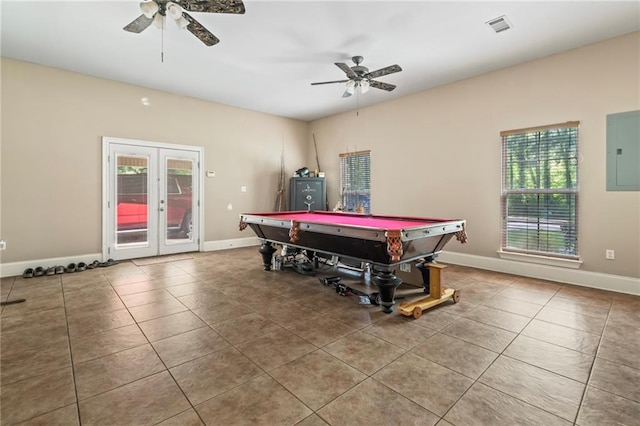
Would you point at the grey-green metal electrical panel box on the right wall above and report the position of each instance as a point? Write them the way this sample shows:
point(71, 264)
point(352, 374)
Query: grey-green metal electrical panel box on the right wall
point(623, 151)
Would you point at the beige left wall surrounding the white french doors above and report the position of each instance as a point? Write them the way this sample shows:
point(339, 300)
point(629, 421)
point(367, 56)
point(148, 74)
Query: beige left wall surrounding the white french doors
point(52, 125)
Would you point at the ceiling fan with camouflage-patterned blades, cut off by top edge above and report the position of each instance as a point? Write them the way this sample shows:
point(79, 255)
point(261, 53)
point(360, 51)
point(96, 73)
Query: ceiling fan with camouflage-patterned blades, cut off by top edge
point(155, 11)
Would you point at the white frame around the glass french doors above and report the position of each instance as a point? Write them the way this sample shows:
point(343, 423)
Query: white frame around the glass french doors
point(107, 141)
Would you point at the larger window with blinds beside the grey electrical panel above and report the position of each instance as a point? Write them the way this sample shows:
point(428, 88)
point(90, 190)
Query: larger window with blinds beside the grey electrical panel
point(540, 190)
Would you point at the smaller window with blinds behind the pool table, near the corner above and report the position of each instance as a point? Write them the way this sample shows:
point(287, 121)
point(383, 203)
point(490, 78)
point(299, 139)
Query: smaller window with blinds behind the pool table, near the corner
point(355, 181)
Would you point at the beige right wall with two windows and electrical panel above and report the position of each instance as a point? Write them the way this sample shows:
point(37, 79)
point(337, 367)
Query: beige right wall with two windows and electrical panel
point(438, 153)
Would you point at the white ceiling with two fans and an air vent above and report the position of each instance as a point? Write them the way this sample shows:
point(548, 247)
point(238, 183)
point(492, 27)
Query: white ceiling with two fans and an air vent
point(268, 57)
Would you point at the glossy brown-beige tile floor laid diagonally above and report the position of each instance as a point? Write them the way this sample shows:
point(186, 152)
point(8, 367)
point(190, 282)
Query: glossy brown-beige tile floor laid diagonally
point(215, 340)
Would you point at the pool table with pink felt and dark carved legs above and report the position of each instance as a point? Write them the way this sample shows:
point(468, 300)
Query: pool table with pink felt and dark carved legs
point(384, 242)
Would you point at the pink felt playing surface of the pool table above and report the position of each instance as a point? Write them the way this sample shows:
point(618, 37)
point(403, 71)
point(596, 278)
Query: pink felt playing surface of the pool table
point(377, 222)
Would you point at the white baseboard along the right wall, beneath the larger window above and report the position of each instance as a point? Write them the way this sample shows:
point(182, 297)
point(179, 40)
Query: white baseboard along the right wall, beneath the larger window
point(617, 283)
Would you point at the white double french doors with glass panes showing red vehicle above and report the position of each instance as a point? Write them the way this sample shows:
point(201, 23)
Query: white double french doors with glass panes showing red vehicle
point(152, 194)
